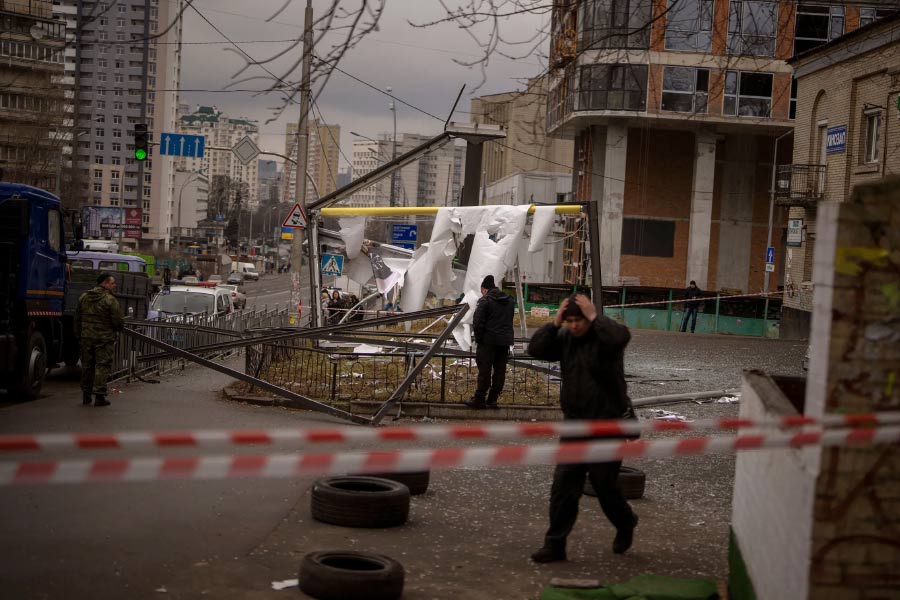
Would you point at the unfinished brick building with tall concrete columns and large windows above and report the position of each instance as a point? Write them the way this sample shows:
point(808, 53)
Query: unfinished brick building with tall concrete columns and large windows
point(674, 109)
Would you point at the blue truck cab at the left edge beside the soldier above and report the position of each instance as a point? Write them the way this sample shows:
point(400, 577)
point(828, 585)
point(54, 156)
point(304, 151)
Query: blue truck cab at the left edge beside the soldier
point(32, 286)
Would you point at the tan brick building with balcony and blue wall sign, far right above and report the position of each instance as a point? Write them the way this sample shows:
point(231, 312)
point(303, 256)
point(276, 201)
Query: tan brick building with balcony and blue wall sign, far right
point(847, 132)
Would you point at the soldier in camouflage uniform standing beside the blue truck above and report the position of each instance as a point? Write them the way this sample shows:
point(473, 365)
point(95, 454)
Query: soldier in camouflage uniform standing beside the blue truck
point(98, 320)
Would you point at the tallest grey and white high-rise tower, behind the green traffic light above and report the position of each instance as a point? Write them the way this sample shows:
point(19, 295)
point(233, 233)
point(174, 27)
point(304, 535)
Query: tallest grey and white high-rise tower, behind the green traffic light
point(123, 74)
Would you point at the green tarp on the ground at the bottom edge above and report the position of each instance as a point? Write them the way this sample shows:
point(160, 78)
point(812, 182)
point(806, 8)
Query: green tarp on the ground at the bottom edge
point(642, 587)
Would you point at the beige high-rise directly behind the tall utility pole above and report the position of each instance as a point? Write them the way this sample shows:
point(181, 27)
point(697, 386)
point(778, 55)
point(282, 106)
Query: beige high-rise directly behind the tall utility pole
point(323, 156)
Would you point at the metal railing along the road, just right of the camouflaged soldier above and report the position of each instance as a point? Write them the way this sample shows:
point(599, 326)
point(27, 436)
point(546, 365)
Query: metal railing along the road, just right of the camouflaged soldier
point(188, 331)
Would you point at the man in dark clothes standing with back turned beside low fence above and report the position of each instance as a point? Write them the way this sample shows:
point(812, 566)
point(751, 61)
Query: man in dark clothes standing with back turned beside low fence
point(493, 330)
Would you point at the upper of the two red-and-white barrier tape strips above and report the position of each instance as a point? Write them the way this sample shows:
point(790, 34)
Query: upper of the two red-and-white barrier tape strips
point(508, 431)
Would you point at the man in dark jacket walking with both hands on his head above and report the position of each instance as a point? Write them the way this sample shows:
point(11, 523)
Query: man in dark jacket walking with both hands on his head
point(590, 350)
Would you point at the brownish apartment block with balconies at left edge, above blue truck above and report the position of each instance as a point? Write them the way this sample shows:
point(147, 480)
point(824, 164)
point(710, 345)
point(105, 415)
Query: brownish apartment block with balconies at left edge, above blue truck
point(34, 120)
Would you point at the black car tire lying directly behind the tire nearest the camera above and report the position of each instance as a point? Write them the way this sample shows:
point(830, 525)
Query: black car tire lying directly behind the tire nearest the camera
point(354, 501)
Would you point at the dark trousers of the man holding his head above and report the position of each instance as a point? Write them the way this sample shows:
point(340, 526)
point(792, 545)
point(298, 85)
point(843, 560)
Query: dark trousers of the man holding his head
point(567, 489)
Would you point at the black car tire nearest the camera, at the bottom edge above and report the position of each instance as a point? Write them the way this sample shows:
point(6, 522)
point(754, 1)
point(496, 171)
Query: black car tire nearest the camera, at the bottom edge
point(349, 575)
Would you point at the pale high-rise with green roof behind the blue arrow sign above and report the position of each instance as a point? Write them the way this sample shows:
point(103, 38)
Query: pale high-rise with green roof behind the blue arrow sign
point(223, 131)
